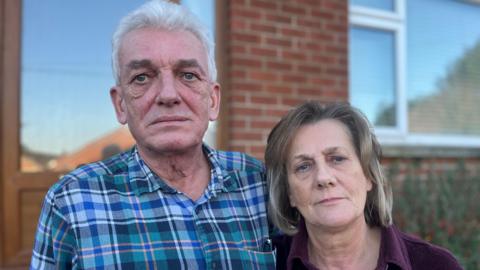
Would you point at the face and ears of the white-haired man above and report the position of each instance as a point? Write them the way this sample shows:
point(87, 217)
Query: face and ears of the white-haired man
point(165, 95)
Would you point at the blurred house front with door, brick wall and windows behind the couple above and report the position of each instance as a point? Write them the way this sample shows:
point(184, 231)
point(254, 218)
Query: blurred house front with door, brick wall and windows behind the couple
point(412, 66)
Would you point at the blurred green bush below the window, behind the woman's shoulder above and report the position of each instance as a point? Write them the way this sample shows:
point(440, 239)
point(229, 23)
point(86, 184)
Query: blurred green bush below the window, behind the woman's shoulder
point(442, 208)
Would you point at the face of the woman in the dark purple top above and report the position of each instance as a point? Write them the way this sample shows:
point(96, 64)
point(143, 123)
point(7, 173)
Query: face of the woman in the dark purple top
point(326, 181)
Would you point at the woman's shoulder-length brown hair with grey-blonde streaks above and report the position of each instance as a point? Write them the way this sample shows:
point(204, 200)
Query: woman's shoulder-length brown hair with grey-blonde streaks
point(378, 206)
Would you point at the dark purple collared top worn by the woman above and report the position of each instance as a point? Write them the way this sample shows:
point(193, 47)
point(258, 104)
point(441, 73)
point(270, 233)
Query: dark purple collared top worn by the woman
point(397, 251)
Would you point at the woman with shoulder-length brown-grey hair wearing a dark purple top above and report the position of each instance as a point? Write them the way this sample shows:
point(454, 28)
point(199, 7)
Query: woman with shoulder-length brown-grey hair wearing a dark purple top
point(330, 198)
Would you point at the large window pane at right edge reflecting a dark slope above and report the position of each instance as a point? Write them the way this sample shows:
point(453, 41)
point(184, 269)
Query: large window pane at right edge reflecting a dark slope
point(443, 67)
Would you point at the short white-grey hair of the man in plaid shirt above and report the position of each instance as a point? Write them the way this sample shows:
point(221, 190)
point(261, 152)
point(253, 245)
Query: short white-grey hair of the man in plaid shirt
point(168, 16)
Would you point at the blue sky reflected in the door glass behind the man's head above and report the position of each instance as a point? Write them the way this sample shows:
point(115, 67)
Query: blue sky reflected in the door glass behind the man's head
point(66, 70)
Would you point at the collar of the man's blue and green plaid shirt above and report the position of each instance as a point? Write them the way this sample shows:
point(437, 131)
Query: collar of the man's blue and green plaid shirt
point(143, 179)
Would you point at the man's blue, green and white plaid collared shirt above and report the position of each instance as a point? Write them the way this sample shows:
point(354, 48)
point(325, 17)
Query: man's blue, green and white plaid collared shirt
point(117, 214)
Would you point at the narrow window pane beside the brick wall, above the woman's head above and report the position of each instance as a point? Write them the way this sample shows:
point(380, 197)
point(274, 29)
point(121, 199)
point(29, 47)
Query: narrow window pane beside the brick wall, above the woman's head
point(372, 83)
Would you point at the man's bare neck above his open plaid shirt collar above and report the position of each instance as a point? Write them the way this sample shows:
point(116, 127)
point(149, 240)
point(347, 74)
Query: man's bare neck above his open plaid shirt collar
point(186, 171)
